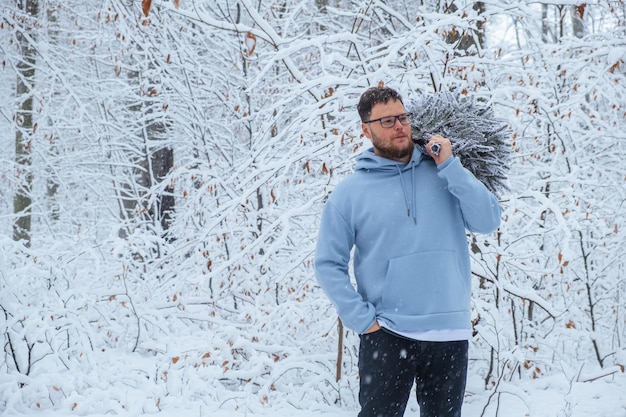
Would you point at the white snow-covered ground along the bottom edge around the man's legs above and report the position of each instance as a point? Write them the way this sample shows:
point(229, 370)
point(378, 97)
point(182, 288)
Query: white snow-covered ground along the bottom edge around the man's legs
point(547, 397)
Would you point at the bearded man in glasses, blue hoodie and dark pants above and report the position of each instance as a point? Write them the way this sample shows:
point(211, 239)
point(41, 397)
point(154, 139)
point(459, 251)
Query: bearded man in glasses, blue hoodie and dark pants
point(405, 214)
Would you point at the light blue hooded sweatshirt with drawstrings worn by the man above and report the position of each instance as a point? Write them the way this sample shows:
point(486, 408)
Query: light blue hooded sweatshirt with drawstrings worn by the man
point(406, 223)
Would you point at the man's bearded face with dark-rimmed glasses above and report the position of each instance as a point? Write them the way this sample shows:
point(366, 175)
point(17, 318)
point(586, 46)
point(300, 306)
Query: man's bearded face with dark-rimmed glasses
point(391, 142)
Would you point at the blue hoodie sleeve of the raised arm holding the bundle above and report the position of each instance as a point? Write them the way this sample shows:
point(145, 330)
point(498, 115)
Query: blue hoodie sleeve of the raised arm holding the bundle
point(480, 208)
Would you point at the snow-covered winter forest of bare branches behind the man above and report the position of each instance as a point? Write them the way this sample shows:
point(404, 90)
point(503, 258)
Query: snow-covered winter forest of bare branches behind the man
point(166, 163)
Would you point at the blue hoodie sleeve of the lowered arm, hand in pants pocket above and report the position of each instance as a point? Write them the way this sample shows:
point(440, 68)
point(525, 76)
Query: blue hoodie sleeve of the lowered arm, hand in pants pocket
point(332, 257)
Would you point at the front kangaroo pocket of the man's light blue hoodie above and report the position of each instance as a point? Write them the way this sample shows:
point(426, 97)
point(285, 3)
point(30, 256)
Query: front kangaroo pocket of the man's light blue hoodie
point(425, 283)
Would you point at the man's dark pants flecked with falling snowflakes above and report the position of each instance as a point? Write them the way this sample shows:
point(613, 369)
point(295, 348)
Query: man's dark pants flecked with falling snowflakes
point(389, 364)
